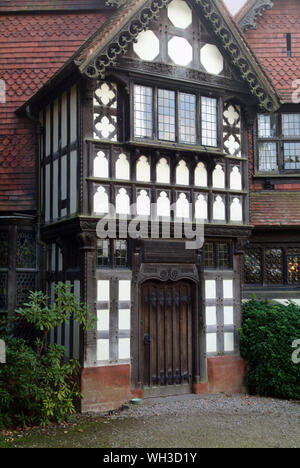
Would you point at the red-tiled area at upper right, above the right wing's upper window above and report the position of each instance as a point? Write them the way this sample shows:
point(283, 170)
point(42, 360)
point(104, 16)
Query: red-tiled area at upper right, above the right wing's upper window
point(269, 44)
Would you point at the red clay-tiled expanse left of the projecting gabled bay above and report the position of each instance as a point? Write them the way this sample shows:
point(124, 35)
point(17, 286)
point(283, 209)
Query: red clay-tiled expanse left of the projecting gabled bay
point(32, 48)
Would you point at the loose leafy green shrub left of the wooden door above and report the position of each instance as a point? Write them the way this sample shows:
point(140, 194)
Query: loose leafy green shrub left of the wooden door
point(36, 385)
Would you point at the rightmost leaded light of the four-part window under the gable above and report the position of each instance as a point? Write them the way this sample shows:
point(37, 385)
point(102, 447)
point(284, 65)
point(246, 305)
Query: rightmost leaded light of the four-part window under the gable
point(209, 121)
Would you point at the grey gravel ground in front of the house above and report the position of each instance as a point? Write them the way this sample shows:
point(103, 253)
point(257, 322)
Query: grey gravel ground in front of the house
point(187, 421)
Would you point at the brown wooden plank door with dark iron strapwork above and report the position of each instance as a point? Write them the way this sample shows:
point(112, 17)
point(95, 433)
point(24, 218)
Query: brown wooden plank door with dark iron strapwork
point(167, 337)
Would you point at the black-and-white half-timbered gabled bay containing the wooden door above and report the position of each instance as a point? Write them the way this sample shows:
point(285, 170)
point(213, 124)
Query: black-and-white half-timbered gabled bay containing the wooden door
point(150, 119)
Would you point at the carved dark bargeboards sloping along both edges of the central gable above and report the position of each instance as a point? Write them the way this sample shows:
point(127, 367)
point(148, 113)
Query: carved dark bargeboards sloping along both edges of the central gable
point(106, 49)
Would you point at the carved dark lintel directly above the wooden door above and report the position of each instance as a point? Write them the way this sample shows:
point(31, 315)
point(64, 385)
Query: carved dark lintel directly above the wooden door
point(167, 272)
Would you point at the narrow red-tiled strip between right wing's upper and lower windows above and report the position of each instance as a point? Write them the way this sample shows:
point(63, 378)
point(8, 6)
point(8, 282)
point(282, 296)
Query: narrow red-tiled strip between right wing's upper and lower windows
point(275, 209)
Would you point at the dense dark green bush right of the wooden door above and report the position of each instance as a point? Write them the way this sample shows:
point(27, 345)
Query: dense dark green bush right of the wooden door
point(267, 334)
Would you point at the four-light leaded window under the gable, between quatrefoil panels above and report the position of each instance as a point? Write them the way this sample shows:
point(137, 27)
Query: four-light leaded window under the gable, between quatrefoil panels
point(171, 116)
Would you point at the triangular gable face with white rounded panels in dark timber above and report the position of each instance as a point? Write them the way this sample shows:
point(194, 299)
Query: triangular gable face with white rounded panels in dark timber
point(179, 38)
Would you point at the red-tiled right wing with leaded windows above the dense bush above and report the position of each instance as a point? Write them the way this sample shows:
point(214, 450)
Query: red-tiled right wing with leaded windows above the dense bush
point(272, 257)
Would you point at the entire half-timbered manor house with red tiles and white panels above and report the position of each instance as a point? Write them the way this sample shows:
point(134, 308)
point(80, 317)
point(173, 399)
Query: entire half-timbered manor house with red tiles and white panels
point(146, 105)
